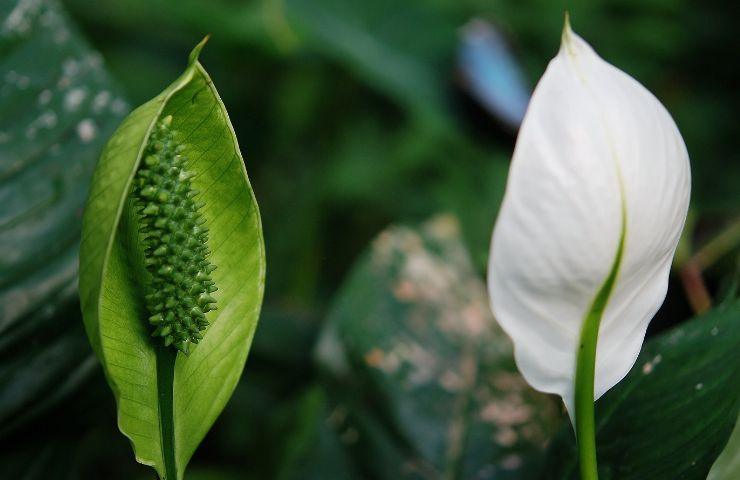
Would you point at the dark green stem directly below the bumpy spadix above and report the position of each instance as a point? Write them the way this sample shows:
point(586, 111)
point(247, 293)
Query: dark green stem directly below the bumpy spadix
point(165, 379)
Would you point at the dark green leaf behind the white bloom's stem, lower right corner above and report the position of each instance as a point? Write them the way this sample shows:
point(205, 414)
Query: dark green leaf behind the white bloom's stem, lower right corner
point(672, 415)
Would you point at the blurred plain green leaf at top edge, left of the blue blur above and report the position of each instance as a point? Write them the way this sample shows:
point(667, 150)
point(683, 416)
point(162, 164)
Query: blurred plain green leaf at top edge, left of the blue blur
point(398, 48)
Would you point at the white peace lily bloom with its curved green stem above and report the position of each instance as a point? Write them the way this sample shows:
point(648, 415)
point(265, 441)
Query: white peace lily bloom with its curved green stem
point(595, 202)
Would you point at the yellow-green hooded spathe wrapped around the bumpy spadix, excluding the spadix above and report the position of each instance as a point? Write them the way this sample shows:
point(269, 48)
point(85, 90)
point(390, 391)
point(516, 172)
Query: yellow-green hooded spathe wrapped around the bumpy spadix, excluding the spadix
point(167, 402)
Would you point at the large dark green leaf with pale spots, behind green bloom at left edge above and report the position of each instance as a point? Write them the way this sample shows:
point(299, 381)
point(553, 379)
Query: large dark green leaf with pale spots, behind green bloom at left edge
point(58, 106)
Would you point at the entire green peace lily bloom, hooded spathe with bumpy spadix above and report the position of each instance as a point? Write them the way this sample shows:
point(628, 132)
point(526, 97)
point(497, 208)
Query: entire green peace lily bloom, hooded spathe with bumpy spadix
point(172, 268)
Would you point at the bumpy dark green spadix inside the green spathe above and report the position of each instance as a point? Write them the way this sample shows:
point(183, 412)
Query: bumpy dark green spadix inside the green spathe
point(175, 243)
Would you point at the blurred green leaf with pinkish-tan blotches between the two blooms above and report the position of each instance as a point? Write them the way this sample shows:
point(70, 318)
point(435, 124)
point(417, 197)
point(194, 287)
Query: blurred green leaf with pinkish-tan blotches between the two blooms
point(424, 380)
